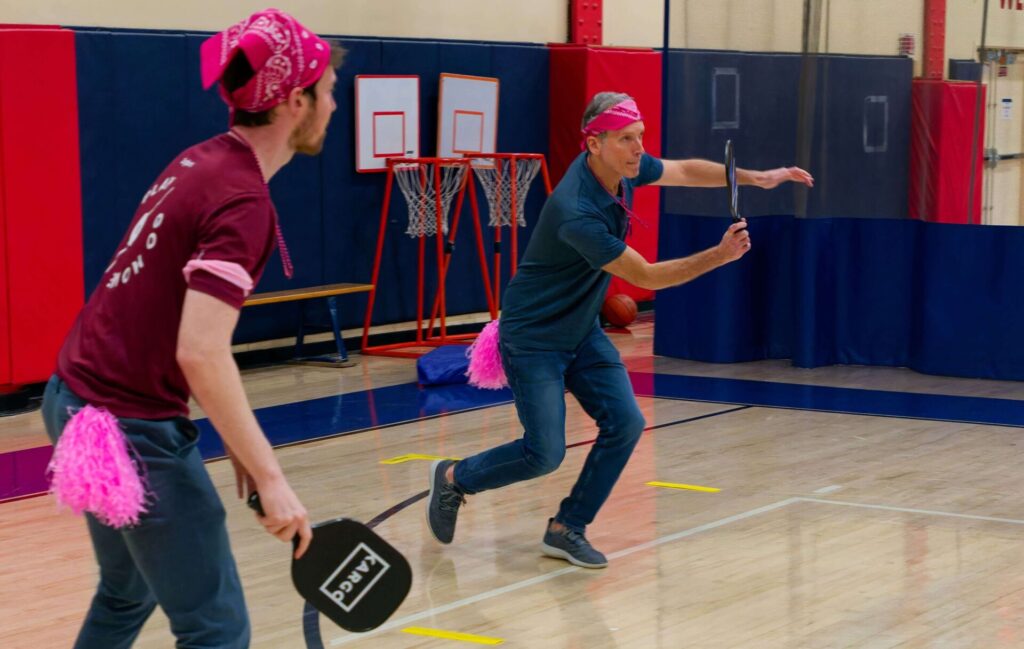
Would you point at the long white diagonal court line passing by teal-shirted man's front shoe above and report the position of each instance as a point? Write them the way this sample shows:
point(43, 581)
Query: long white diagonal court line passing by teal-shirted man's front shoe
point(345, 640)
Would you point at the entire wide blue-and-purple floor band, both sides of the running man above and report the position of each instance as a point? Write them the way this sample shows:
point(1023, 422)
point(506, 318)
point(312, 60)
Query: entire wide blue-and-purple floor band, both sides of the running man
point(22, 471)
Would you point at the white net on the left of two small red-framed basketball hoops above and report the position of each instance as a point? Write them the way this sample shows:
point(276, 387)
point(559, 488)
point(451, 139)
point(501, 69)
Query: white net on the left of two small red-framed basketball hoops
point(417, 184)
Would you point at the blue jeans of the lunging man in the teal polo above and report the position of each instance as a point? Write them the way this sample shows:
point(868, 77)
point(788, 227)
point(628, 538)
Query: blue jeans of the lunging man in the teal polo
point(596, 377)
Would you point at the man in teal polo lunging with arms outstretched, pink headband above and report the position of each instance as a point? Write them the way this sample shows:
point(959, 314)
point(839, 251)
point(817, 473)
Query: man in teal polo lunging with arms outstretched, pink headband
point(550, 339)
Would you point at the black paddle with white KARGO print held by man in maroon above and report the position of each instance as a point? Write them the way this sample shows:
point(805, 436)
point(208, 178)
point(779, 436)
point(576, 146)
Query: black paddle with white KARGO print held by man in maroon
point(350, 574)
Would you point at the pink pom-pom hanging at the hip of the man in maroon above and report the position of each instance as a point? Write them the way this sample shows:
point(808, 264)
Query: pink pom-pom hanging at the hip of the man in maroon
point(93, 470)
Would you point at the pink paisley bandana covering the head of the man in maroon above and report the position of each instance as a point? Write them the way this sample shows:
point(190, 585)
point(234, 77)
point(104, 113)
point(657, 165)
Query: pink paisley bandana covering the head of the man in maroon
point(284, 55)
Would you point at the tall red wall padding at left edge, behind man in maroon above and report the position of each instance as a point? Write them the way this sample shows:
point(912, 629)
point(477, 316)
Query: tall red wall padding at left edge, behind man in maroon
point(41, 284)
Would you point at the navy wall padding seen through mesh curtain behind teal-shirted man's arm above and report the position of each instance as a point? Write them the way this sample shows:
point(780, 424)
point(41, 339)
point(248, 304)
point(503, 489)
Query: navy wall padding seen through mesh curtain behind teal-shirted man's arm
point(847, 91)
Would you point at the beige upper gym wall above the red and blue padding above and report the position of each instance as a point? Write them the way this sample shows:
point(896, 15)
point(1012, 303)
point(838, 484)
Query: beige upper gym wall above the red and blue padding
point(863, 27)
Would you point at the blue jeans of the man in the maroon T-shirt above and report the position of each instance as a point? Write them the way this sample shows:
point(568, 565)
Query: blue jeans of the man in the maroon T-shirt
point(179, 556)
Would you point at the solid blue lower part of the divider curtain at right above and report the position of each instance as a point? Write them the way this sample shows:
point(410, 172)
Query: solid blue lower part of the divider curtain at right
point(929, 296)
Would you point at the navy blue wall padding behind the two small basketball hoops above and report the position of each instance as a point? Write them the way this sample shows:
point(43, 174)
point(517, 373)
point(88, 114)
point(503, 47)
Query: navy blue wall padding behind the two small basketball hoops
point(141, 104)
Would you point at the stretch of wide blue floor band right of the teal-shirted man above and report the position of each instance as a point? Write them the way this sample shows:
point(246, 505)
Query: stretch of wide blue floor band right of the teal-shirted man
point(945, 408)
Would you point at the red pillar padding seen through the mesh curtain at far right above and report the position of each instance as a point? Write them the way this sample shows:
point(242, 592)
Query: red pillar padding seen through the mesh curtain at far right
point(943, 129)
